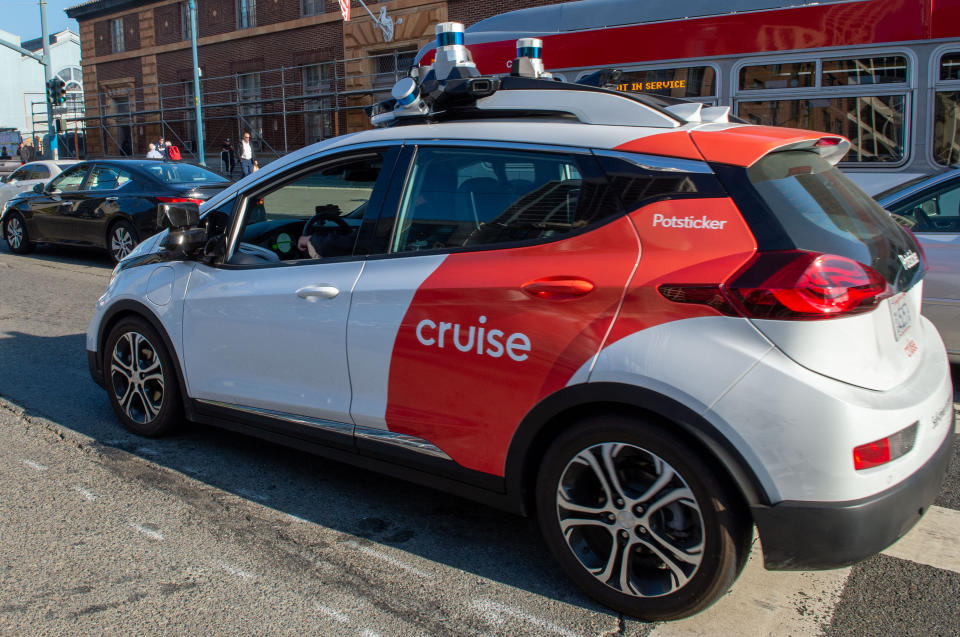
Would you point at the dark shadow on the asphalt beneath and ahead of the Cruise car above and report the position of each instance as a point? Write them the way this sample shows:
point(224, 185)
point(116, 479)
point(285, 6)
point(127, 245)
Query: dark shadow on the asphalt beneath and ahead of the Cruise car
point(47, 377)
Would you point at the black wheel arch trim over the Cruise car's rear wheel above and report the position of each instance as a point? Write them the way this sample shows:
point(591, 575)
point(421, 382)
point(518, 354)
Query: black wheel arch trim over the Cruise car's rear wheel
point(560, 410)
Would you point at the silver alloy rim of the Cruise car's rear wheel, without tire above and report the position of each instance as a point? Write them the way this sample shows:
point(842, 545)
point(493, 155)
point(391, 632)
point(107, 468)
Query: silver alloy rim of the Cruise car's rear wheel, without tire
point(630, 519)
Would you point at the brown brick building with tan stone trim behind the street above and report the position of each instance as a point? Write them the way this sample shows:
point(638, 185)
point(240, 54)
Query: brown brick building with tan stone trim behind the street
point(291, 71)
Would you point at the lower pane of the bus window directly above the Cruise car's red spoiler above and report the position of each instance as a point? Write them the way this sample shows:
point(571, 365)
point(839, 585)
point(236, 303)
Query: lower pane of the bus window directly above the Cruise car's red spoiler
point(875, 125)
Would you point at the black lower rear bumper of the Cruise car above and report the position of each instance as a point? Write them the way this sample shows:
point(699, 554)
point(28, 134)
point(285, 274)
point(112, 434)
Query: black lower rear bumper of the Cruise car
point(822, 535)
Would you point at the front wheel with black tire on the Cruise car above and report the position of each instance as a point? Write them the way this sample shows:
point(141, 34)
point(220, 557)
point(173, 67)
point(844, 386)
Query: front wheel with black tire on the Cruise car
point(146, 398)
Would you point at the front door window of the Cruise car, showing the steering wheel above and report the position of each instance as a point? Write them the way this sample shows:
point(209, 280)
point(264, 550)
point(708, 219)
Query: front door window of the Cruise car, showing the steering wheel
point(316, 214)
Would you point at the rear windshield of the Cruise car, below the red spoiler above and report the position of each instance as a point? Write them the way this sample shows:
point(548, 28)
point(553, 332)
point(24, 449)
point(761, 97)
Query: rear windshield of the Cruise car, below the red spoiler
point(821, 210)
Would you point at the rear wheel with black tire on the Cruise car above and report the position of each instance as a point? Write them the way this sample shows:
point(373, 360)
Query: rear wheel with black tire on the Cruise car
point(707, 523)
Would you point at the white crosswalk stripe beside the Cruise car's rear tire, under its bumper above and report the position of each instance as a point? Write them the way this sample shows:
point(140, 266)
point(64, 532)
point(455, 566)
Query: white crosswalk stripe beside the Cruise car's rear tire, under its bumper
point(765, 603)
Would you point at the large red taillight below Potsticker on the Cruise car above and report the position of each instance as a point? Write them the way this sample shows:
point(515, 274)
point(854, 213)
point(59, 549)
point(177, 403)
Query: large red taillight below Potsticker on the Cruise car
point(791, 285)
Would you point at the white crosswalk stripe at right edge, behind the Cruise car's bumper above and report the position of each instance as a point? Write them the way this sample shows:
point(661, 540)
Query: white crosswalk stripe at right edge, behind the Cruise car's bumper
point(934, 541)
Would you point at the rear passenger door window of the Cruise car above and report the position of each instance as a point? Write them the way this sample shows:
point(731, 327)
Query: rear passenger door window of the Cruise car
point(458, 197)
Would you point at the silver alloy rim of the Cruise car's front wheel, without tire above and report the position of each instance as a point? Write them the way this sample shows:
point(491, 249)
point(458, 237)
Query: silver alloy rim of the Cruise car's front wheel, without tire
point(136, 375)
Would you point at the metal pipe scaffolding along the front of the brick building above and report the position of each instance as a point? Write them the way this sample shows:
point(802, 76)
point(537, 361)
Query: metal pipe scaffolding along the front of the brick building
point(284, 108)
